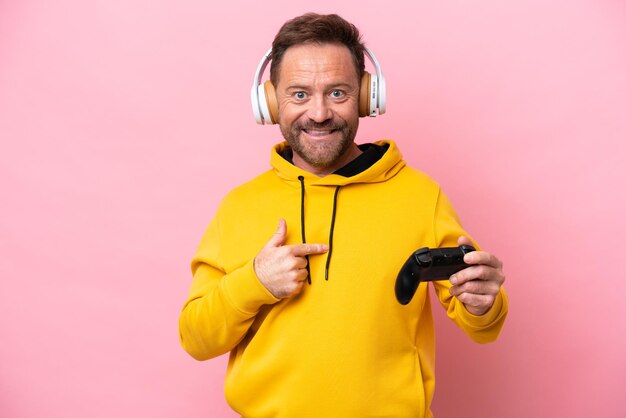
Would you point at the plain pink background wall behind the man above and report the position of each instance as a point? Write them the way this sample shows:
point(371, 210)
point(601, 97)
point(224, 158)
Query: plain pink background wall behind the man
point(122, 124)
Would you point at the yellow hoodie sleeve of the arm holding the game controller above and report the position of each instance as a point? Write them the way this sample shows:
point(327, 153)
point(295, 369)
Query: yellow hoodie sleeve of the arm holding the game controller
point(484, 328)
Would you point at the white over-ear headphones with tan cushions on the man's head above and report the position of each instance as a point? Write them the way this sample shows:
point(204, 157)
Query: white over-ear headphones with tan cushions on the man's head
point(372, 97)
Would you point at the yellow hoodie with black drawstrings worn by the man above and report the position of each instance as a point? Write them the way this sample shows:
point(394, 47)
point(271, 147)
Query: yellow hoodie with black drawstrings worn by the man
point(343, 347)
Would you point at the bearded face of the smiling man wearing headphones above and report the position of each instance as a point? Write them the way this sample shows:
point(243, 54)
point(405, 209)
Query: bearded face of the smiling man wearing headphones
point(318, 91)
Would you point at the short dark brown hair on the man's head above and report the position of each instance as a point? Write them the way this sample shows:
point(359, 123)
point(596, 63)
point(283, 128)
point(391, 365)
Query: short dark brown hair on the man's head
point(317, 29)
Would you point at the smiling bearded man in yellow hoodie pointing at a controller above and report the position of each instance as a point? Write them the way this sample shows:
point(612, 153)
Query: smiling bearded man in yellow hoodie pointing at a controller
point(307, 308)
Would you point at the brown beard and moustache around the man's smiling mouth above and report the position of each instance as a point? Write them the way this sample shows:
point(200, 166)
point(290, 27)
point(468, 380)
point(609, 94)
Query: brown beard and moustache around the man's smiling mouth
point(323, 154)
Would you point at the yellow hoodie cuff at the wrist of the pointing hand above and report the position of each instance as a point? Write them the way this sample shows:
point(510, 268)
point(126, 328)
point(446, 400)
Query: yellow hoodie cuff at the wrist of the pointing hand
point(244, 291)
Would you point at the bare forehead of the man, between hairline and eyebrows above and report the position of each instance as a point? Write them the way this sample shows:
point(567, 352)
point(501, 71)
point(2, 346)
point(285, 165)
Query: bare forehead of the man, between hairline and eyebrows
point(317, 64)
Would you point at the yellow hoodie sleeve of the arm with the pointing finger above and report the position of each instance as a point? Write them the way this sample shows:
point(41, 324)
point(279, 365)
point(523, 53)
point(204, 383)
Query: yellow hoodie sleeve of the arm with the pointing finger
point(222, 305)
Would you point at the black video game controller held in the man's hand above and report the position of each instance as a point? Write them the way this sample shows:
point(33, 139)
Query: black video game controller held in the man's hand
point(426, 265)
